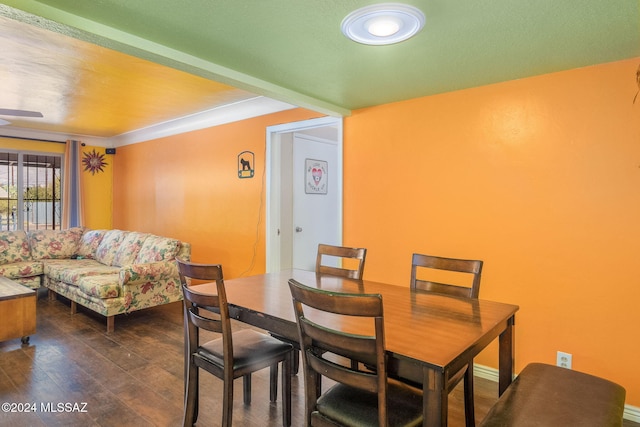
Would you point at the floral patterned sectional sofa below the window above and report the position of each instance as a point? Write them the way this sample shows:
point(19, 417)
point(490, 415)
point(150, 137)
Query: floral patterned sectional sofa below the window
point(108, 271)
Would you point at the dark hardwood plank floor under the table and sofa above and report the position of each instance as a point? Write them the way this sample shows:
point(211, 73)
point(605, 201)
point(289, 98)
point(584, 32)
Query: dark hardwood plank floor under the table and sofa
point(133, 377)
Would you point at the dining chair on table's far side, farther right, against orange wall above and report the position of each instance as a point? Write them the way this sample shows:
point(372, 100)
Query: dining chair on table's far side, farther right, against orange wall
point(472, 269)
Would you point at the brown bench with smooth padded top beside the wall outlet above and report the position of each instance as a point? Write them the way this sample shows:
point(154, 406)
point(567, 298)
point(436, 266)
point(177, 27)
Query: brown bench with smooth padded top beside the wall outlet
point(546, 395)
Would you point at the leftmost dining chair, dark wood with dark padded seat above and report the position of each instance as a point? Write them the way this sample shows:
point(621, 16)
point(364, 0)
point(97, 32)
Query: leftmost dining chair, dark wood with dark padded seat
point(234, 354)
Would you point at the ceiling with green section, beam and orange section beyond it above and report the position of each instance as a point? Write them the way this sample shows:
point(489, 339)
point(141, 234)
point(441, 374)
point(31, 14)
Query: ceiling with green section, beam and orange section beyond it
point(110, 67)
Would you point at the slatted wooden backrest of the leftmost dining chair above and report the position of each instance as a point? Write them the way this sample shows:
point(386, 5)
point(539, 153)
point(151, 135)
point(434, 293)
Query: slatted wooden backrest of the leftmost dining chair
point(217, 318)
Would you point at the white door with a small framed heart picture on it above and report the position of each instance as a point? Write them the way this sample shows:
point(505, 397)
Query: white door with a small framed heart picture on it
point(315, 197)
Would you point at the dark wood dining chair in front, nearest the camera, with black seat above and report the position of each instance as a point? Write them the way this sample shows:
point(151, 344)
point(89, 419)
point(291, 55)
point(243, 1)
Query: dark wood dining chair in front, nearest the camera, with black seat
point(358, 397)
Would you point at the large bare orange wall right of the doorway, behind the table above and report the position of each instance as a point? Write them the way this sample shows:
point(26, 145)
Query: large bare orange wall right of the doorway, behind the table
point(540, 178)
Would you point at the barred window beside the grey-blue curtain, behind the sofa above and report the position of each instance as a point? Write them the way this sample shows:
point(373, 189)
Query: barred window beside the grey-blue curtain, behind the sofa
point(30, 191)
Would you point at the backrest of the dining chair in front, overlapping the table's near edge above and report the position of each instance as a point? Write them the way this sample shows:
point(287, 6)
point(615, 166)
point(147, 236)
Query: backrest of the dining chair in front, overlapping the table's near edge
point(320, 341)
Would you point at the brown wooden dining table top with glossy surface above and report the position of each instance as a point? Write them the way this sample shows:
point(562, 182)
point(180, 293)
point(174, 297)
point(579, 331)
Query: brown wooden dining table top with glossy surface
point(441, 331)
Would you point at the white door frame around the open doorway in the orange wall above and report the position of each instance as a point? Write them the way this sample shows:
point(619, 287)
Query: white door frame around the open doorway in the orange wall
point(273, 168)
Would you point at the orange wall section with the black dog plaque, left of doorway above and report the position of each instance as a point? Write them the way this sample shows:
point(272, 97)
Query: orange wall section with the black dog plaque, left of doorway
point(187, 187)
